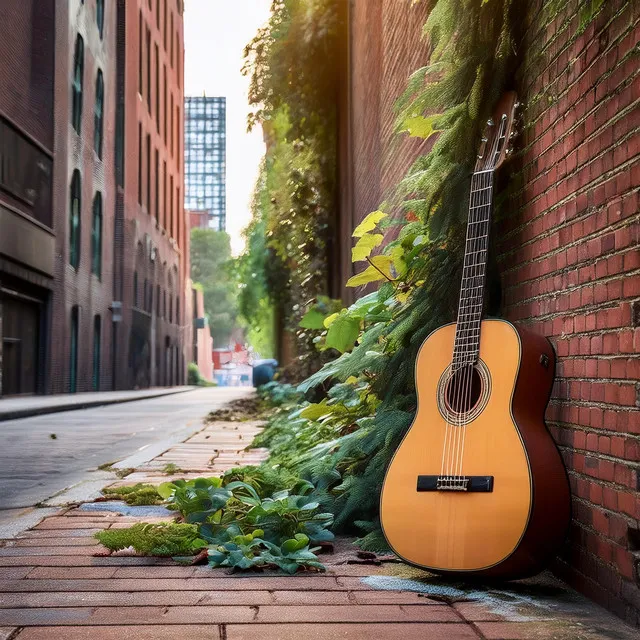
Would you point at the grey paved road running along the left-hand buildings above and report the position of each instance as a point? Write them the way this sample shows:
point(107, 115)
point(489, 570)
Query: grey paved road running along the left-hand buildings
point(34, 466)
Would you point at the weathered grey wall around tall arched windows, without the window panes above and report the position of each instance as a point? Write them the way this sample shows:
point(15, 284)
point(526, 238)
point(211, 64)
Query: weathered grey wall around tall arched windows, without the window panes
point(74, 150)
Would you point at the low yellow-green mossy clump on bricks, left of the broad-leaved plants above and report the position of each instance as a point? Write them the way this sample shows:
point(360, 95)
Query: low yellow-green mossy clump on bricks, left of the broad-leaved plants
point(154, 539)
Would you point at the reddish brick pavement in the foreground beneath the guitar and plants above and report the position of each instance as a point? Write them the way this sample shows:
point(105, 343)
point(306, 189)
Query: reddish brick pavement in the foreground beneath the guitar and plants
point(57, 583)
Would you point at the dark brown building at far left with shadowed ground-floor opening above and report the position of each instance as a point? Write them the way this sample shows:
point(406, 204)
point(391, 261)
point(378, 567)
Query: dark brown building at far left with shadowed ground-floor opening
point(27, 242)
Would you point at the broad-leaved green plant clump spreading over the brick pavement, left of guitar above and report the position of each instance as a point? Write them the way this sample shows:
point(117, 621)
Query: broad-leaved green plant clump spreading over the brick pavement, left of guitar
point(246, 524)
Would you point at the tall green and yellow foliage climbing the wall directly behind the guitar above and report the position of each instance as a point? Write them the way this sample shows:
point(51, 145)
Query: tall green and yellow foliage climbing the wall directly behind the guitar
point(344, 442)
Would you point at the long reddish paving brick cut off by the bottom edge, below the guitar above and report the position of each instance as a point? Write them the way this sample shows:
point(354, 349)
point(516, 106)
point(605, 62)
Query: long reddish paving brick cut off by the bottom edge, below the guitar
point(390, 631)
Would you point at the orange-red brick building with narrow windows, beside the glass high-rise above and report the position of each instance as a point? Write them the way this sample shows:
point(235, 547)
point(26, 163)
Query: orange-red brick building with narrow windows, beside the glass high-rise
point(152, 242)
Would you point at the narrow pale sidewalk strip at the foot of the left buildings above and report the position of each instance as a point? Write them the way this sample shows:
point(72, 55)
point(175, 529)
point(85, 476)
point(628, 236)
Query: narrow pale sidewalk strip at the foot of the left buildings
point(26, 406)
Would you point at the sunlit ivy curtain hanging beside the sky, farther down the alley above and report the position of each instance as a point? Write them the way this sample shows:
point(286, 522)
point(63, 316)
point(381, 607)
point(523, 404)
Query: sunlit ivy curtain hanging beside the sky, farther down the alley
point(293, 70)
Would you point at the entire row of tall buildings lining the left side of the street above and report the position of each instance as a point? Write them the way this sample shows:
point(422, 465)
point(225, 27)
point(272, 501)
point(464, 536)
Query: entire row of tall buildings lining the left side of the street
point(94, 243)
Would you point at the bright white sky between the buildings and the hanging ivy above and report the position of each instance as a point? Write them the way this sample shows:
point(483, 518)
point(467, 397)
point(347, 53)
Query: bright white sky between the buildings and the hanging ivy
point(216, 32)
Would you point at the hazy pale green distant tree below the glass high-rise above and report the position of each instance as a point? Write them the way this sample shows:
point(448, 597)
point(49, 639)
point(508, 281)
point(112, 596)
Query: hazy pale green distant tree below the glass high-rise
point(212, 267)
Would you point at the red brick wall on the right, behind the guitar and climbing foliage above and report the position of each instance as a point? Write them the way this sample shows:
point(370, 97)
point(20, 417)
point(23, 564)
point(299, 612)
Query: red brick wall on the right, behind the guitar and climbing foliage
point(568, 251)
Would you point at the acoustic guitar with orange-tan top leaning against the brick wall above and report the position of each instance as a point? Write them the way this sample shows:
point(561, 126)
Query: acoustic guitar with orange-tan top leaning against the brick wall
point(477, 485)
